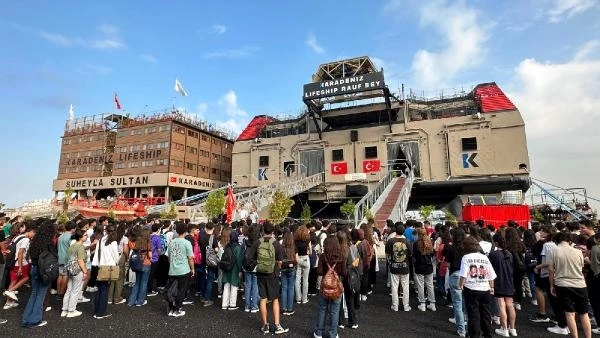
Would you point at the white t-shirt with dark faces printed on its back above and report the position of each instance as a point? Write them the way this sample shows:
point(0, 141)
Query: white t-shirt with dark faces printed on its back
point(477, 271)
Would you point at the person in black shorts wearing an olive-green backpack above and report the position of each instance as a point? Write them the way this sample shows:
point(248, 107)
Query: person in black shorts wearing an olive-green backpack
point(269, 255)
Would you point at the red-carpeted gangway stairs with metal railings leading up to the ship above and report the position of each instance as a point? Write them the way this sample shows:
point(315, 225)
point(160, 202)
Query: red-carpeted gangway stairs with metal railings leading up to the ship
point(395, 199)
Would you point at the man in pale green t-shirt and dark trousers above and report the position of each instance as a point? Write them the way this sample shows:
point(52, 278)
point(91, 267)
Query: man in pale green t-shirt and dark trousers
point(181, 269)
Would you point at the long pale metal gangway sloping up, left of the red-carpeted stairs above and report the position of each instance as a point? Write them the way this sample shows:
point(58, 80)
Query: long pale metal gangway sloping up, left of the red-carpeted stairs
point(260, 197)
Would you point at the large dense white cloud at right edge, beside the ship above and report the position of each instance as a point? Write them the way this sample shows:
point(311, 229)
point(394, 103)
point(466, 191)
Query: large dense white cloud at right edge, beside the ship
point(561, 108)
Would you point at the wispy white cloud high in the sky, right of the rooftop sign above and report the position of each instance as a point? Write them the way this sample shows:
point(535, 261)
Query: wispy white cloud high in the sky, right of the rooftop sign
point(463, 40)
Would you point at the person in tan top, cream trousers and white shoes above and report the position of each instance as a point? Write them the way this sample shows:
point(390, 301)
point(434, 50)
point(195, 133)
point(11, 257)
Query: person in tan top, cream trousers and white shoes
point(75, 282)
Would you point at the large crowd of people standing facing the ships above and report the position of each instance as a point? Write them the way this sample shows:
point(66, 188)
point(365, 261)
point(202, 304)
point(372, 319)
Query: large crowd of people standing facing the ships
point(484, 274)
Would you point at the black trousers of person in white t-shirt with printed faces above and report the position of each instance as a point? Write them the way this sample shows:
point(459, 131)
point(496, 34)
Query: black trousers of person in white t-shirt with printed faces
point(478, 308)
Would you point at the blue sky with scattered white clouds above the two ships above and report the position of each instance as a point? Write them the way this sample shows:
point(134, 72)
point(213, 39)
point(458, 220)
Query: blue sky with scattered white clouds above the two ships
point(237, 59)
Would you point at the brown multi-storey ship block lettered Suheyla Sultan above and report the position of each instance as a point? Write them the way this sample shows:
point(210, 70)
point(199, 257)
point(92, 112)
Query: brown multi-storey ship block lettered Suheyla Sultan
point(154, 159)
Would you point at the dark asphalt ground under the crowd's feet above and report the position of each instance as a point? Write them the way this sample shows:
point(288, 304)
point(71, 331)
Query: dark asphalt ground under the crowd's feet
point(376, 320)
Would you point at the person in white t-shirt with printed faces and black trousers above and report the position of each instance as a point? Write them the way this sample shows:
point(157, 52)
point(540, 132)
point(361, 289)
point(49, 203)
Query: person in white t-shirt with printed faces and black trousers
point(477, 288)
